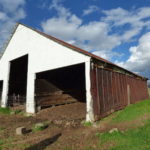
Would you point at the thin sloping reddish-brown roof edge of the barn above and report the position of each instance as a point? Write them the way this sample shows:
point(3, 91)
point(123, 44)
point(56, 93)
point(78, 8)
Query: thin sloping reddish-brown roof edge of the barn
point(78, 49)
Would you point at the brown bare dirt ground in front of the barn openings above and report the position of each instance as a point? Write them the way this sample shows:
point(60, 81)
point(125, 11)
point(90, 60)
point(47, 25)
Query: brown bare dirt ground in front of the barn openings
point(64, 130)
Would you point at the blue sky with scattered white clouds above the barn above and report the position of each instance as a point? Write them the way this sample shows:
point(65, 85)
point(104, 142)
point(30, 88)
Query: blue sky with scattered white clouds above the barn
point(117, 30)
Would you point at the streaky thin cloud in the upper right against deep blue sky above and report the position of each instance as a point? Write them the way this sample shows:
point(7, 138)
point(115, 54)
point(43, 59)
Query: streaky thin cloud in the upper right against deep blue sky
point(136, 19)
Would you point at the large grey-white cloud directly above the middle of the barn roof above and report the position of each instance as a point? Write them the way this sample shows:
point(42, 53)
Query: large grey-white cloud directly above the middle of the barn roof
point(69, 27)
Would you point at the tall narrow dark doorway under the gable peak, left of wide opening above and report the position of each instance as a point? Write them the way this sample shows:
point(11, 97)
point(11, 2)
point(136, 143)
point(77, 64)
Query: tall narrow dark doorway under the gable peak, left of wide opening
point(18, 81)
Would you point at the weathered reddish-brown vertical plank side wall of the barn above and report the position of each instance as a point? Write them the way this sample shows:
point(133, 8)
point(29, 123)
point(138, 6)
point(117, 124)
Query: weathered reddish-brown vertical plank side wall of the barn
point(112, 91)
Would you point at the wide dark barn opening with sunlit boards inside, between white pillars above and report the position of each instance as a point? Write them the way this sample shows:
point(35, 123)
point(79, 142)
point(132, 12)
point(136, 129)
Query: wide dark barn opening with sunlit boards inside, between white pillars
point(60, 86)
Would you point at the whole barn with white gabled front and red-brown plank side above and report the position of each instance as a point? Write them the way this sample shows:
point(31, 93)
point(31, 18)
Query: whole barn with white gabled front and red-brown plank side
point(38, 70)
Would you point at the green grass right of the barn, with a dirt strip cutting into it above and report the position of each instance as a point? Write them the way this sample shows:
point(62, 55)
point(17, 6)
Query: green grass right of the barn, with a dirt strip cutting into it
point(132, 138)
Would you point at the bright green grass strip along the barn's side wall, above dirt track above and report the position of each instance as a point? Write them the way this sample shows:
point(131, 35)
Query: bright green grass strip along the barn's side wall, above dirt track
point(132, 112)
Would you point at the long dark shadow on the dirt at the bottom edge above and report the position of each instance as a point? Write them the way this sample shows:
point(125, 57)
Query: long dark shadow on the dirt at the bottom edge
point(43, 144)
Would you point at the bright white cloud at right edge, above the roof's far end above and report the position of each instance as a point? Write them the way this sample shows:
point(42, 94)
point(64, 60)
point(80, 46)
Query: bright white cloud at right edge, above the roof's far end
point(139, 60)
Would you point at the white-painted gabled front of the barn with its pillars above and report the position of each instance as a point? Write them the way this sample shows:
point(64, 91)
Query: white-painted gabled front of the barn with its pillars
point(43, 54)
